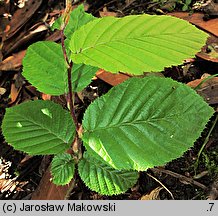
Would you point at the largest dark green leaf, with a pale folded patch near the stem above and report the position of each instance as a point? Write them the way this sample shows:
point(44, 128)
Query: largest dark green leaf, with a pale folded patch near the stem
point(143, 123)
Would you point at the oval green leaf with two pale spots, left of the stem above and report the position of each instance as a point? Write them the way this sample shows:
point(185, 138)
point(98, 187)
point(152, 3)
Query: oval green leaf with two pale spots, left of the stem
point(38, 128)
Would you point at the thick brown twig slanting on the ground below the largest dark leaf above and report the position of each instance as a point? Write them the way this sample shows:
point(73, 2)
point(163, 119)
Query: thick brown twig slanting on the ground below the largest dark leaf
point(179, 176)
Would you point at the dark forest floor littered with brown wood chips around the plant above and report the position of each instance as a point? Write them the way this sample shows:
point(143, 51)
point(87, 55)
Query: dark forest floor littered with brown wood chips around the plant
point(190, 177)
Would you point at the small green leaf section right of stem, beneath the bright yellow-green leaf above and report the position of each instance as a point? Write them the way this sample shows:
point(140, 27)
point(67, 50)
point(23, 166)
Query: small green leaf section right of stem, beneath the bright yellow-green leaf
point(81, 76)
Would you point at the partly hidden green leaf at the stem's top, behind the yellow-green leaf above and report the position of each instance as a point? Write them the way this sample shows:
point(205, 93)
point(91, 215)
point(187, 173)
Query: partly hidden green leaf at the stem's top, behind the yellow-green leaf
point(78, 18)
